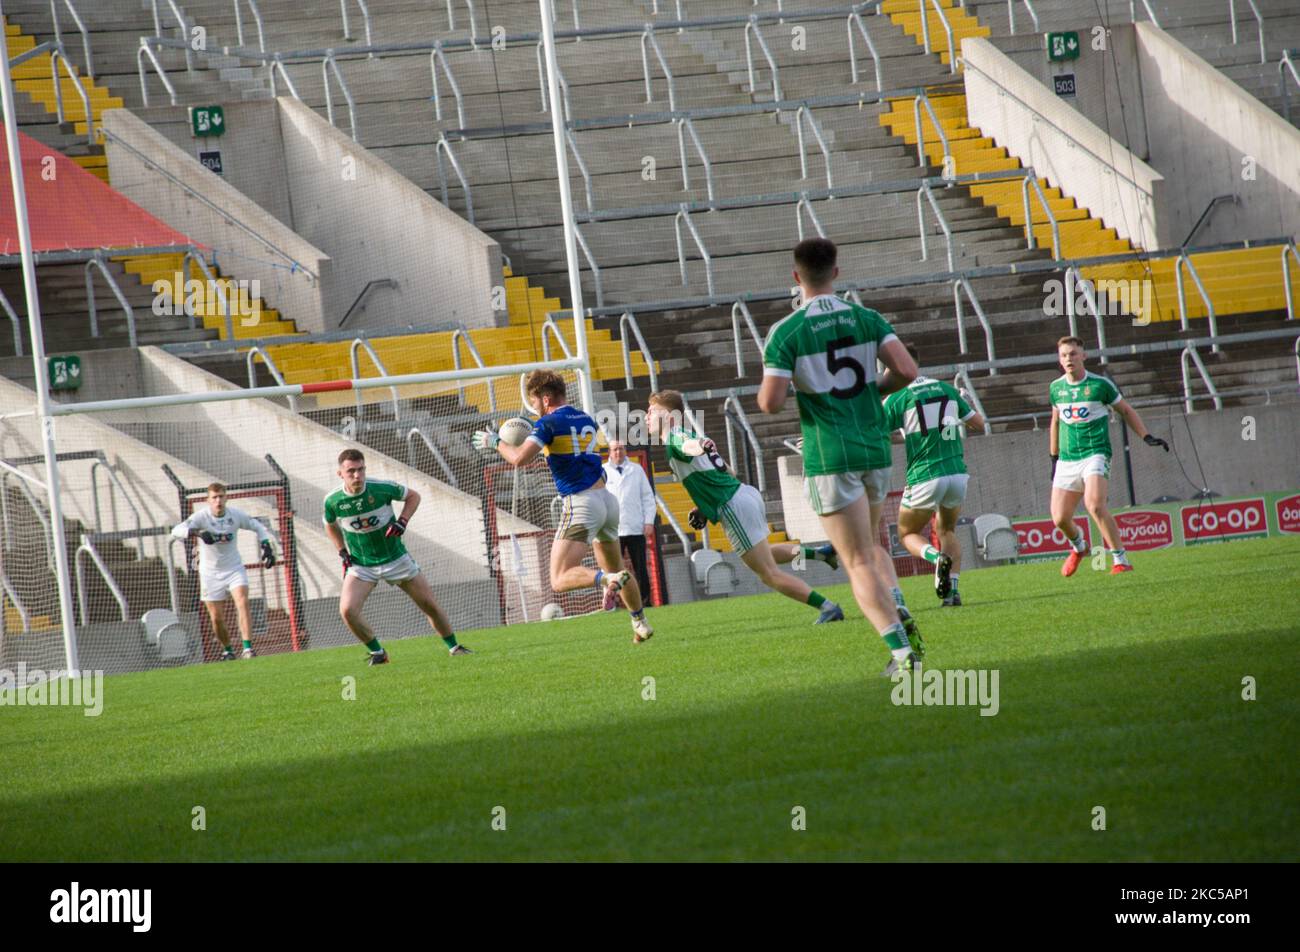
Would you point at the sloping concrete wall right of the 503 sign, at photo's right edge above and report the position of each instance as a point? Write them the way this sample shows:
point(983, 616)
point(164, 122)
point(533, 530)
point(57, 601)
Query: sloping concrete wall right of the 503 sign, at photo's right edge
point(1203, 127)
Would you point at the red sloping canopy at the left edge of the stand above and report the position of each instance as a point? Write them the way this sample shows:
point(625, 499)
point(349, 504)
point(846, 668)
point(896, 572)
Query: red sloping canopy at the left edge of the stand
point(71, 210)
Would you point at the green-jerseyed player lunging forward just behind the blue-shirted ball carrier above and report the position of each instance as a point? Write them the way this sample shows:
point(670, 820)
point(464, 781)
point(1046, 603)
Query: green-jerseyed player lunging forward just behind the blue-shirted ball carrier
point(721, 497)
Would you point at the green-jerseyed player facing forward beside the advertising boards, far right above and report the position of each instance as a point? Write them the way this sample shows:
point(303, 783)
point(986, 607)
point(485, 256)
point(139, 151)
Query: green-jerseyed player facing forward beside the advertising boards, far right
point(1081, 452)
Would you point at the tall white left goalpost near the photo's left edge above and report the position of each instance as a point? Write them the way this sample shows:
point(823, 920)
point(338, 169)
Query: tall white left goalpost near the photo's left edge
point(38, 356)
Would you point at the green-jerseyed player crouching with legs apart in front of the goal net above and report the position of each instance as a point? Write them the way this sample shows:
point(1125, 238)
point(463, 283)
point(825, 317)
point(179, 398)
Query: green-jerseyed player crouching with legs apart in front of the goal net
point(359, 520)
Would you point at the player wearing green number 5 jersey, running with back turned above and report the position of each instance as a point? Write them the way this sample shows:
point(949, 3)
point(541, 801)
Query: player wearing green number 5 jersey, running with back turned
point(829, 349)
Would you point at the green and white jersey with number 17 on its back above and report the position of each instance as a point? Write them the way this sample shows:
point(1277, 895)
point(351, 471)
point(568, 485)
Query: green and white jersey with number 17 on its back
point(930, 413)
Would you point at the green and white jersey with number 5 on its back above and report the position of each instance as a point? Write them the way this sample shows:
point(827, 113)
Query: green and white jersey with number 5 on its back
point(829, 348)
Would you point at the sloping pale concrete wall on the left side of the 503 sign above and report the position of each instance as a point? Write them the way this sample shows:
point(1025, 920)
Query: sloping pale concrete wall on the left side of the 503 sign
point(1072, 153)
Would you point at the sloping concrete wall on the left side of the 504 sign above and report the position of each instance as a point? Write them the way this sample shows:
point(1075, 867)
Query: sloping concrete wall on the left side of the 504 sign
point(297, 296)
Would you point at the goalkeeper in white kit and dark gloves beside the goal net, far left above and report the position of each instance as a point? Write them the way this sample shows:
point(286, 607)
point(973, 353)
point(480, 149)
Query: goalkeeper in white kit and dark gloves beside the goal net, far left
point(222, 573)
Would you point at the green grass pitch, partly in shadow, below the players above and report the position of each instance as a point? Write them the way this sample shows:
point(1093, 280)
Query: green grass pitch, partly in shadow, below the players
point(1119, 693)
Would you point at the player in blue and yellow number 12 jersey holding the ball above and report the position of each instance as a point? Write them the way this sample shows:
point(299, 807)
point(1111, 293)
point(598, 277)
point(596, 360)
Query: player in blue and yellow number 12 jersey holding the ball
point(571, 440)
